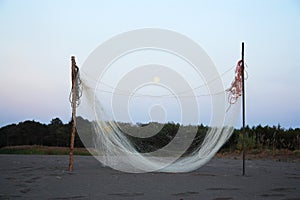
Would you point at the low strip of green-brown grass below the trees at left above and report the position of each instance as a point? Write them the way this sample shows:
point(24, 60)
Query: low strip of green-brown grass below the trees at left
point(42, 150)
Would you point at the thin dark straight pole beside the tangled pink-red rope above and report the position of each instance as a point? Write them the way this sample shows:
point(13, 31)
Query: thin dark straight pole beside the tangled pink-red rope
point(243, 107)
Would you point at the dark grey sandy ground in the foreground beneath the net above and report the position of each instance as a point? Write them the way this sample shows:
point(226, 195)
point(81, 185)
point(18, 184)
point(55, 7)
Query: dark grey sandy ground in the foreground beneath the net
point(46, 177)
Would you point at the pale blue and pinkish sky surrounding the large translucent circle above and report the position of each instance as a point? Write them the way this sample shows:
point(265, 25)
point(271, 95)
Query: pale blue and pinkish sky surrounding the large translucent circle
point(39, 37)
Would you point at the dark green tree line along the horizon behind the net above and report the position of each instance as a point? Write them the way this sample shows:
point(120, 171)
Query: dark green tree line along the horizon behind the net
point(56, 133)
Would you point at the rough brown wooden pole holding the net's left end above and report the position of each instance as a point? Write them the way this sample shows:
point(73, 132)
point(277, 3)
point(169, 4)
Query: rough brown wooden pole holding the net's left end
point(73, 66)
